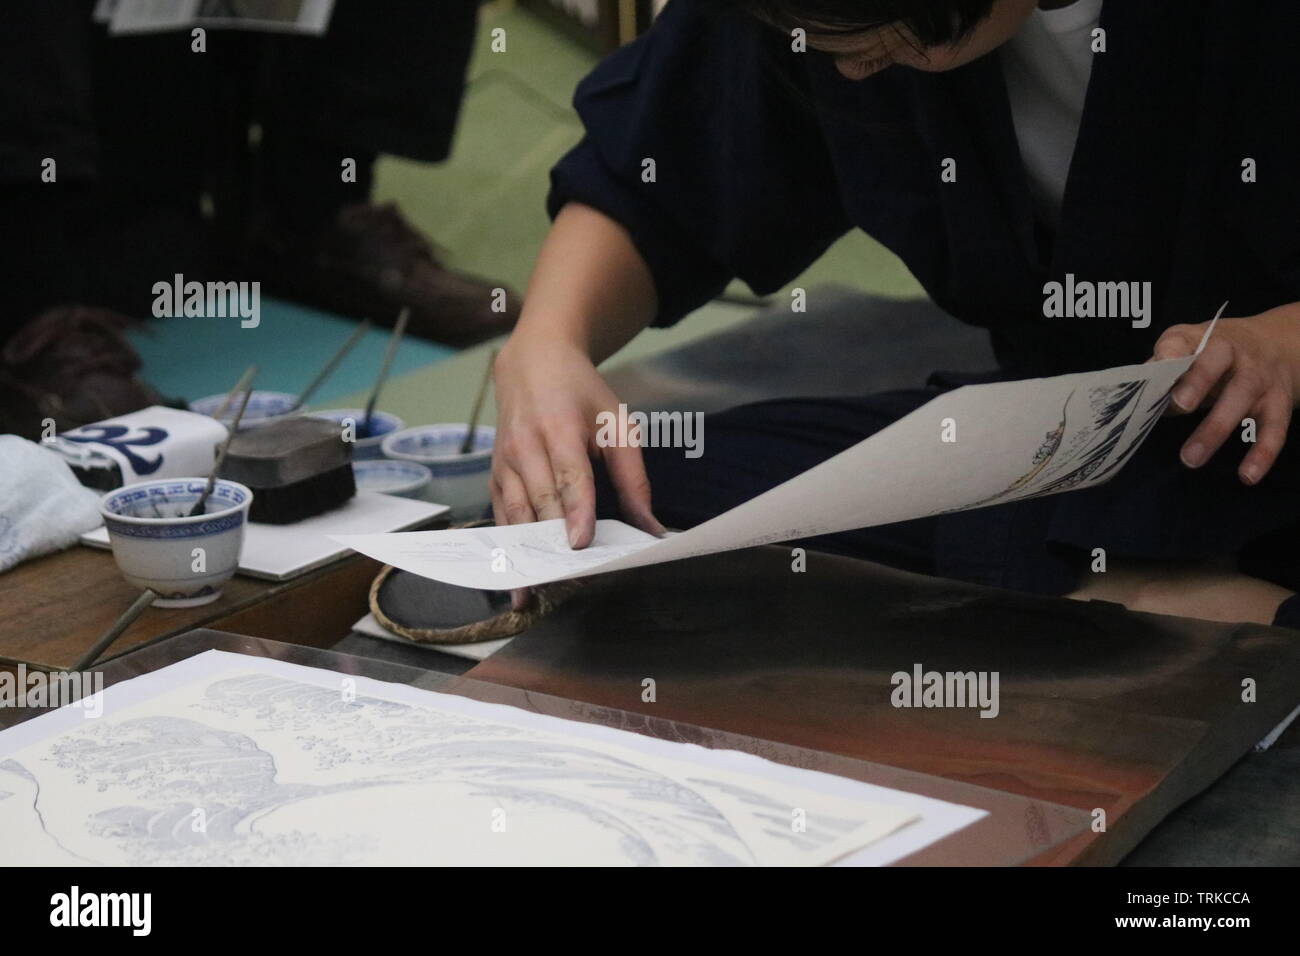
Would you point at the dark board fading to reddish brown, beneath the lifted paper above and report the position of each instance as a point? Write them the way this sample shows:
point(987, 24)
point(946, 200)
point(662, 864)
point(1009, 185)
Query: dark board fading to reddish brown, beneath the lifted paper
point(1100, 710)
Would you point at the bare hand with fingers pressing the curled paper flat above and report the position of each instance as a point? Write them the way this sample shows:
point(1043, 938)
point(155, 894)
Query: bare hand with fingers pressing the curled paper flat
point(549, 395)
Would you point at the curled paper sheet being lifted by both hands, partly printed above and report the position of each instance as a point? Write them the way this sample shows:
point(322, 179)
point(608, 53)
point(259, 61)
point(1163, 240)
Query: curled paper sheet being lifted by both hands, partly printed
point(1013, 440)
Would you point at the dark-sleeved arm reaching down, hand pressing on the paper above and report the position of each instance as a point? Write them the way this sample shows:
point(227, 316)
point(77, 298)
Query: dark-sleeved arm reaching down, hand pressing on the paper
point(743, 187)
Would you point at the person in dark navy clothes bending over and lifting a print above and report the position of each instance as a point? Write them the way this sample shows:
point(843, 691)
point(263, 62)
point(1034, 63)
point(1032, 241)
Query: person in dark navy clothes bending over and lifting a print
point(996, 146)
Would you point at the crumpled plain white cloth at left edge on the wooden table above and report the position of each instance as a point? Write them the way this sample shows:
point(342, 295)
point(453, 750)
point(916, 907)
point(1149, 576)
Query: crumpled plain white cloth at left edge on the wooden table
point(44, 508)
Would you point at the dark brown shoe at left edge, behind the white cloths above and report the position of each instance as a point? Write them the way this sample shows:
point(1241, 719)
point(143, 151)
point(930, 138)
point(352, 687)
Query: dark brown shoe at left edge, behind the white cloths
point(72, 365)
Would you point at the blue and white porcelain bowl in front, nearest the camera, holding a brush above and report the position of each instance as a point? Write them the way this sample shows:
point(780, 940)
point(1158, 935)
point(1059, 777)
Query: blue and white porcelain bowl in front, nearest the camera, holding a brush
point(187, 561)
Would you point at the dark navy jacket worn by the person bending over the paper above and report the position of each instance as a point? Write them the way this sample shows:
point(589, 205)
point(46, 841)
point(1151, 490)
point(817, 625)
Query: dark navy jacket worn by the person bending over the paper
point(765, 157)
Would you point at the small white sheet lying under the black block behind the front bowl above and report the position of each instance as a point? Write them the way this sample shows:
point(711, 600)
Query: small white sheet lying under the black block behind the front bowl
point(280, 552)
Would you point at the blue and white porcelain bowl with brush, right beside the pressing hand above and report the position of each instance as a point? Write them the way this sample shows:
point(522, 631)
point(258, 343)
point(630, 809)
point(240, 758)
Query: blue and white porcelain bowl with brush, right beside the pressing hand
point(460, 482)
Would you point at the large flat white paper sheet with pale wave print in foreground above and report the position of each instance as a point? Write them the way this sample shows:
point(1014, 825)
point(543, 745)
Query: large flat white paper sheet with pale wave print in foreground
point(226, 759)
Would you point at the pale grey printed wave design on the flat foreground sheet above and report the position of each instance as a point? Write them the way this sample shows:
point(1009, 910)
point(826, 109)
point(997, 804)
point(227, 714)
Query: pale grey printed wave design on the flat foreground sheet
point(317, 778)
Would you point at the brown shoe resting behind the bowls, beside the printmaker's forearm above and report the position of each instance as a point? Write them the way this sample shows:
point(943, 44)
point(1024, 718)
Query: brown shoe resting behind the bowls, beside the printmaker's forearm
point(372, 263)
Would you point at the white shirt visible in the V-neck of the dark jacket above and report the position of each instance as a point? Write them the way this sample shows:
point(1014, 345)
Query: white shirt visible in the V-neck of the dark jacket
point(1047, 67)
